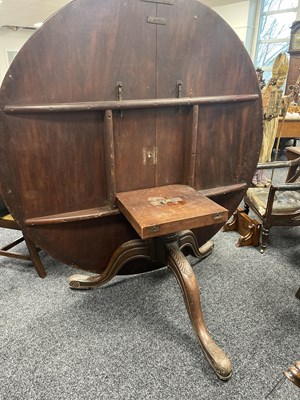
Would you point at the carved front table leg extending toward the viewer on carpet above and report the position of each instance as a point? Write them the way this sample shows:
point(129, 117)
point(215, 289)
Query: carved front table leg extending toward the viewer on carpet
point(188, 283)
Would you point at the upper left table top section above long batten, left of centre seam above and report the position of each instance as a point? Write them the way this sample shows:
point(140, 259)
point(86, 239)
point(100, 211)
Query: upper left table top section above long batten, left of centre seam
point(83, 51)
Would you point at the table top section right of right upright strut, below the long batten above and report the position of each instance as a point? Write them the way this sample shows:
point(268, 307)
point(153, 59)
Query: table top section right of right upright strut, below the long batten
point(228, 145)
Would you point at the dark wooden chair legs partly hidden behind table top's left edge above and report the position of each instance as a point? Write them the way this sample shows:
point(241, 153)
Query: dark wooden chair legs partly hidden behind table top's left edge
point(7, 221)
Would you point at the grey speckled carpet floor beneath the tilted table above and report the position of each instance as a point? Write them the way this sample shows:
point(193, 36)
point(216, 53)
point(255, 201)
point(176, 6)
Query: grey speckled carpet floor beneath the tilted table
point(132, 338)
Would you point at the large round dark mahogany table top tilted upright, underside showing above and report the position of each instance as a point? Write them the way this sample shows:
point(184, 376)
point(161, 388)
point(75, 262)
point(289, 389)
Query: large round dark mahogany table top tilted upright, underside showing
point(112, 96)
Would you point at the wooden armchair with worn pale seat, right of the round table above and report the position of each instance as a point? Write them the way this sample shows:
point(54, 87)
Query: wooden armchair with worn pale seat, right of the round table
point(278, 205)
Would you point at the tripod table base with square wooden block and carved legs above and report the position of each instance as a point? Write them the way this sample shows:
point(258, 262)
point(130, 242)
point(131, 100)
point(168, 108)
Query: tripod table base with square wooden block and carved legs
point(158, 214)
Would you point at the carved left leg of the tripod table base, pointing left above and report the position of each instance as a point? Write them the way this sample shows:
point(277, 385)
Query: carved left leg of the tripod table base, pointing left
point(128, 251)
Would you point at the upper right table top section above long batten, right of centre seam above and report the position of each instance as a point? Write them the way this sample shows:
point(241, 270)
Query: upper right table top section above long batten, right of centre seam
point(198, 48)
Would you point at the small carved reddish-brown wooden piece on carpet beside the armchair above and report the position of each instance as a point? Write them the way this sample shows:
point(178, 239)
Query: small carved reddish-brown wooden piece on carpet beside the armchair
point(248, 228)
